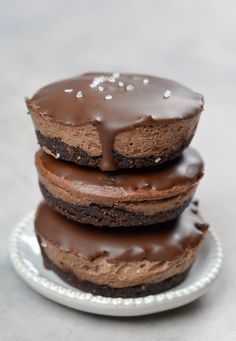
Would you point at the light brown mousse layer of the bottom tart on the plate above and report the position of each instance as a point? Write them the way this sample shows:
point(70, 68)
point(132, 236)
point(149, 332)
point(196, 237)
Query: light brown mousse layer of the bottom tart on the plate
point(117, 274)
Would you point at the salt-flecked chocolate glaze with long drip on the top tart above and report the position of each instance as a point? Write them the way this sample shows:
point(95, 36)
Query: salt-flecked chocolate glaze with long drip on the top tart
point(115, 103)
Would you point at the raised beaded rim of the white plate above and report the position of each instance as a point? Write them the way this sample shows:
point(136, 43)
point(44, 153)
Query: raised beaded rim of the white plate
point(80, 300)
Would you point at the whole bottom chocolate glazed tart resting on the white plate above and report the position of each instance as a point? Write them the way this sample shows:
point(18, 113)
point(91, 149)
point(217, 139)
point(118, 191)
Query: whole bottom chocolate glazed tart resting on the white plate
point(120, 263)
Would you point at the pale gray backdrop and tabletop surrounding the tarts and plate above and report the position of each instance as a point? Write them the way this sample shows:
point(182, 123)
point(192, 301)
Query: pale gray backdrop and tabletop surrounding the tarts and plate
point(190, 41)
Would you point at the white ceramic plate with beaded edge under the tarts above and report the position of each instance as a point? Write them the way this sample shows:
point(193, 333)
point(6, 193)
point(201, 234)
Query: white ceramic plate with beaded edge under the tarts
point(26, 259)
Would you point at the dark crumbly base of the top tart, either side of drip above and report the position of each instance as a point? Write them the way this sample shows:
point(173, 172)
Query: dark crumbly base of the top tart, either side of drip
point(80, 157)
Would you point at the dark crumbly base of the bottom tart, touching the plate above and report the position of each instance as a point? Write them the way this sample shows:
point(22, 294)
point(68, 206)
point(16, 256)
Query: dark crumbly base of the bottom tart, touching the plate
point(104, 290)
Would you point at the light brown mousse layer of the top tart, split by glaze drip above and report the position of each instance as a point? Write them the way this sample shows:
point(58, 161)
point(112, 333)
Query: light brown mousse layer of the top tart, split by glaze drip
point(155, 140)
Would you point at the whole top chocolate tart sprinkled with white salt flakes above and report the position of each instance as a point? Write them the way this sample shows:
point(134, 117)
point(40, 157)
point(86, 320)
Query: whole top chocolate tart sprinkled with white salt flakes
point(115, 121)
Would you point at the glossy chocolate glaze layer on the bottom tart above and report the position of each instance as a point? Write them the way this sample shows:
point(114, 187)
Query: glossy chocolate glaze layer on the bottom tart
point(163, 242)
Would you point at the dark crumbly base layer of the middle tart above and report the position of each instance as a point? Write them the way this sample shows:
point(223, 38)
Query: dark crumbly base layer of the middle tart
point(99, 215)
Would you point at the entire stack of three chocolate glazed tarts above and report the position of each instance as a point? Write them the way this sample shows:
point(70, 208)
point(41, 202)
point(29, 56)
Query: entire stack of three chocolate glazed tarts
point(118, 180)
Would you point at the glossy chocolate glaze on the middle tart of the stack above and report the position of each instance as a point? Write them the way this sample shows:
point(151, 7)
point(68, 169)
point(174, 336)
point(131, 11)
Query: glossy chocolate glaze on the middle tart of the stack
point(187, 169)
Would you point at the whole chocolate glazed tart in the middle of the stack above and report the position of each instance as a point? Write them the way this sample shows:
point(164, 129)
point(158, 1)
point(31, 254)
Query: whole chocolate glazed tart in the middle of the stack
point(123, 198)
